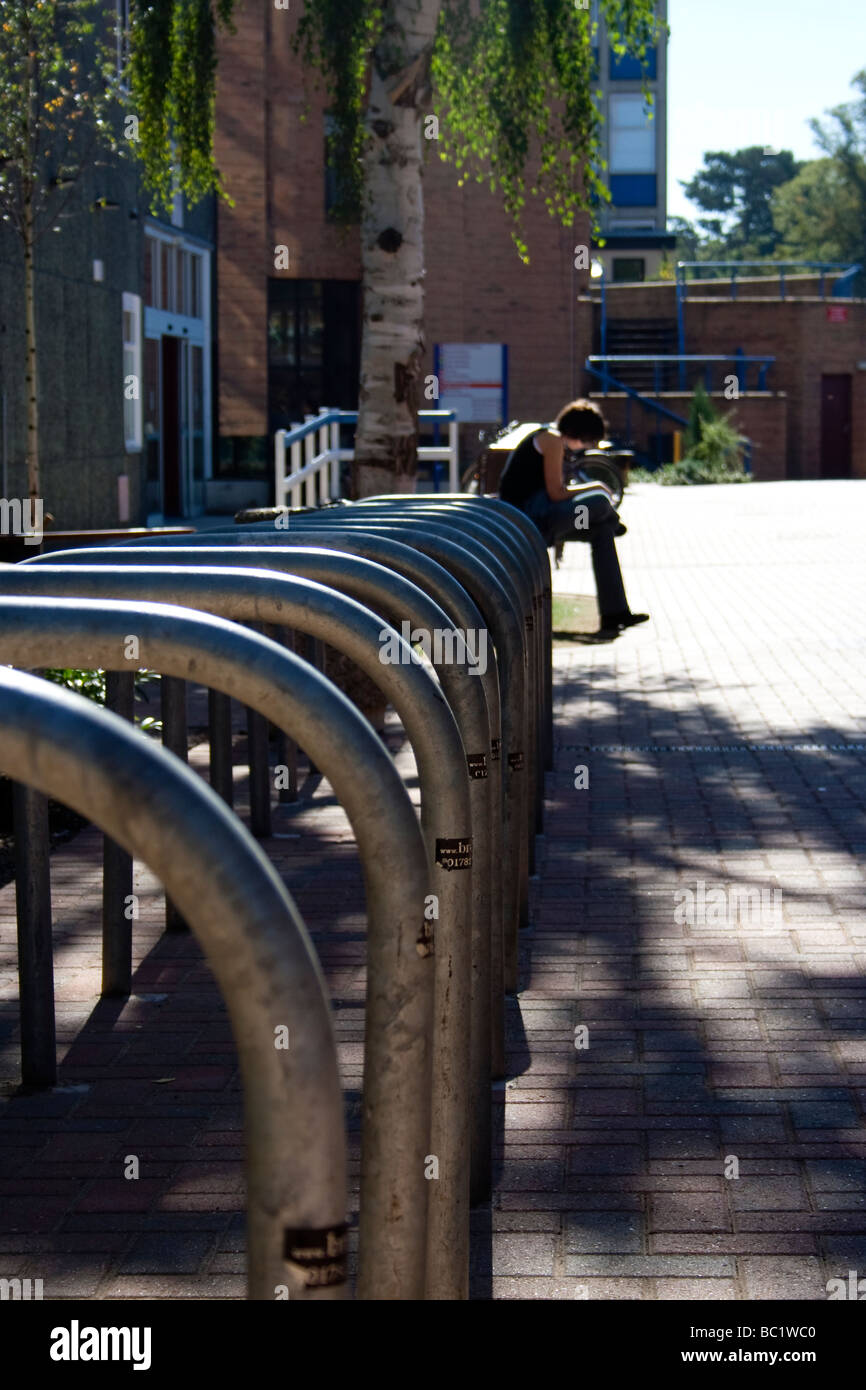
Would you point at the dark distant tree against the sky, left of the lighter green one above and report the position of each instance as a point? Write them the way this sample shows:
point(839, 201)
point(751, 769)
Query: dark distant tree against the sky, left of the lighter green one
point(735, 191)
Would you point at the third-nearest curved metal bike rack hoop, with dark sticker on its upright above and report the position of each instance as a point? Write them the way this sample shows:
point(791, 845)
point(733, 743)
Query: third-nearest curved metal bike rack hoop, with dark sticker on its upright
point(447, 817)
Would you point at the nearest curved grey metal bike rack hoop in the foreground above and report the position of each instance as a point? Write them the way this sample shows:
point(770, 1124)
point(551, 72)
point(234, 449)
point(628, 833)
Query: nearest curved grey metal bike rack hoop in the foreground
point(255, 942)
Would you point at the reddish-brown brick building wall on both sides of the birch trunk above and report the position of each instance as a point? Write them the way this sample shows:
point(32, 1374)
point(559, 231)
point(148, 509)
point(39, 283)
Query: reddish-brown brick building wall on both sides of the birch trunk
point(270, 149)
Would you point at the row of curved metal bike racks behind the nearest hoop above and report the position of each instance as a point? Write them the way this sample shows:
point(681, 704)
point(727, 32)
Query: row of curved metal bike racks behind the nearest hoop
point(354, 578)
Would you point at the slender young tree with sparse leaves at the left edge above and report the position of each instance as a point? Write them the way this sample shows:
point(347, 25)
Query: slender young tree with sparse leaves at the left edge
point(59, 87)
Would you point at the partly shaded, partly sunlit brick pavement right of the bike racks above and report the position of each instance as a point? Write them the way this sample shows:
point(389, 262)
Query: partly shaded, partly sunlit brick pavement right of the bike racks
point(725, 746)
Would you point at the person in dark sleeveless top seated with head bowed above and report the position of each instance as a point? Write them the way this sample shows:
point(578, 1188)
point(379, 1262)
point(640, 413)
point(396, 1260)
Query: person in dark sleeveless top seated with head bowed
point(533, 482)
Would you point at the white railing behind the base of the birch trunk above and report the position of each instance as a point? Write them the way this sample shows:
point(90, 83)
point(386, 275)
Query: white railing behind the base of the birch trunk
point(313, 457)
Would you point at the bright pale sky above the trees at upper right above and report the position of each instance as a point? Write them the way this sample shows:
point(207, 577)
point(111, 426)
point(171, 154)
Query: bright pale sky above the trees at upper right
point(753, 73)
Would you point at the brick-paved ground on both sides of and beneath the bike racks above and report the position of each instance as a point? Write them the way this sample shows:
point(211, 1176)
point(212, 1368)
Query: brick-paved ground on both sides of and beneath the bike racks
point(729, 1036)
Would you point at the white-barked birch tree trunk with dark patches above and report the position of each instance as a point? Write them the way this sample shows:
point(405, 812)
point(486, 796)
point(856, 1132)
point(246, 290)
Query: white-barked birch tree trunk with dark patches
point(393, 251)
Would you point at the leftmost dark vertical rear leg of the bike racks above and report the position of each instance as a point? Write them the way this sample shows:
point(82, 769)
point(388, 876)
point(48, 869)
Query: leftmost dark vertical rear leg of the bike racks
point(35, 947)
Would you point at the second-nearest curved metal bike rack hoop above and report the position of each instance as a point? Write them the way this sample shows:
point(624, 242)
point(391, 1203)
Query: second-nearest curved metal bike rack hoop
point(400, 953)
